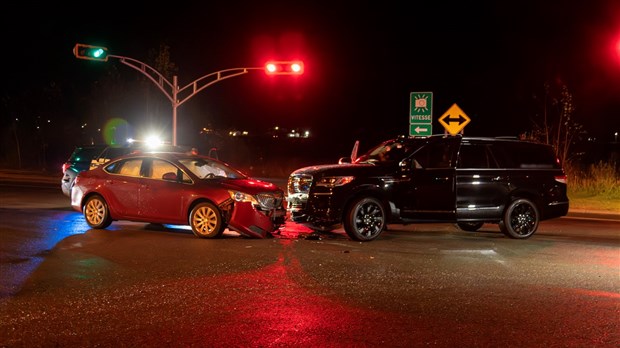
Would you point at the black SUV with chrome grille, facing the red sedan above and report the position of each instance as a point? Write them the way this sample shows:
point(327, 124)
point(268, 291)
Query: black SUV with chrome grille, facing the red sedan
point(463, 180)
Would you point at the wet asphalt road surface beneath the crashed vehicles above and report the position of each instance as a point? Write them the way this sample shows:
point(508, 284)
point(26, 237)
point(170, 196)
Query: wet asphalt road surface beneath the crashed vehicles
point(133, 284)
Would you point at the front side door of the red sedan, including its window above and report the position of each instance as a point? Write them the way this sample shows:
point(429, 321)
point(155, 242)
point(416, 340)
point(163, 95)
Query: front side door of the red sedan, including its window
point(163, 200)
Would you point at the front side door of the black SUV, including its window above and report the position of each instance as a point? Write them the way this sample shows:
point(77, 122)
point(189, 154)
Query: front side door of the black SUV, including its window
point(430, 192)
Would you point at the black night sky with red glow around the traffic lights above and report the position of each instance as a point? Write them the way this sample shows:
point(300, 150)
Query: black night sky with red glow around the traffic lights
point(362, 61)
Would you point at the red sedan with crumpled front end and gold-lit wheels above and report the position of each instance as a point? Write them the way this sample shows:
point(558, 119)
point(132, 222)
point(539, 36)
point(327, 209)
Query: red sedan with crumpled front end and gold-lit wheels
point(181, 189)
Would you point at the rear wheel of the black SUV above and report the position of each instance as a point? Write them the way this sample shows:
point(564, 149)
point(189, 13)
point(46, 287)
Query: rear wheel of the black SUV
point(520, 219)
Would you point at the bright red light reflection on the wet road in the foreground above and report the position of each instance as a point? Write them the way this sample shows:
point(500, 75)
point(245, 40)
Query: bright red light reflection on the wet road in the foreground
point(271, 307)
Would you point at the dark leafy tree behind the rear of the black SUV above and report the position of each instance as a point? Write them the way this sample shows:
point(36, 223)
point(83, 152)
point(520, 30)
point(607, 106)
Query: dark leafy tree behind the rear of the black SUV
point(555, 125)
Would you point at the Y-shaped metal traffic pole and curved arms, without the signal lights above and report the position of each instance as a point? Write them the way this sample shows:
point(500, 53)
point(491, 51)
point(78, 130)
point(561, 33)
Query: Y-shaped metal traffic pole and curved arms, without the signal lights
point(176, 95)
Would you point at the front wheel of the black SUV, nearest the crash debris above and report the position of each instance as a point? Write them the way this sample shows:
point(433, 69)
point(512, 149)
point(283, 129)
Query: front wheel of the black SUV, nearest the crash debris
point(365, 219)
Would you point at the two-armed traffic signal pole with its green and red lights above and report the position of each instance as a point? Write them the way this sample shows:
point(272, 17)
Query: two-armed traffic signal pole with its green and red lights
point(176, 95)
